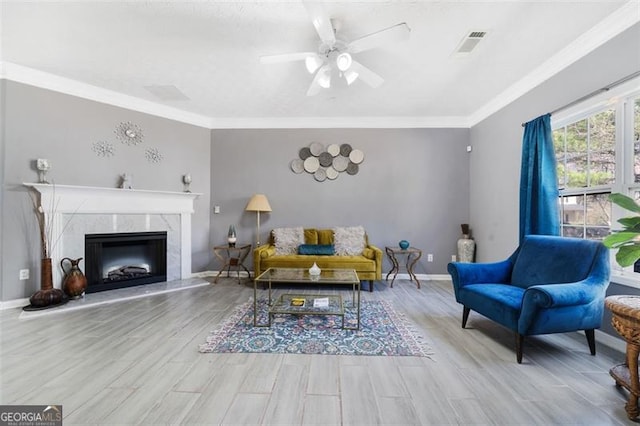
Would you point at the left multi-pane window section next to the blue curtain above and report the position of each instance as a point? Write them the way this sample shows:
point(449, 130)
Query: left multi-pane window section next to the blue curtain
point(586, 157)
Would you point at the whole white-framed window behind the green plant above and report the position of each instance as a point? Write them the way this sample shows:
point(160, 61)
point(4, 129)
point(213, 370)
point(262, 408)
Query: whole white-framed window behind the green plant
point(597, 147)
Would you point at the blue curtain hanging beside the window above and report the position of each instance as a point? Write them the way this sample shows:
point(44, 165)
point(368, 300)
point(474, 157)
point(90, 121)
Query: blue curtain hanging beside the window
point(538, 180)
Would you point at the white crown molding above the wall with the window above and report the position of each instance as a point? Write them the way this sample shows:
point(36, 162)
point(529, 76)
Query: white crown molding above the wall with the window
point(617, 22)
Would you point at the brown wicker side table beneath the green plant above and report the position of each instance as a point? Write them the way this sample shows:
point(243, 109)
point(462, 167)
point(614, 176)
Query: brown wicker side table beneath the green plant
point(625, 319)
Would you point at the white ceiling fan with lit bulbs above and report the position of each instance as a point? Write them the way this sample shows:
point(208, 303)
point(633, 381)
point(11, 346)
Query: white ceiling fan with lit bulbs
point(334, 56)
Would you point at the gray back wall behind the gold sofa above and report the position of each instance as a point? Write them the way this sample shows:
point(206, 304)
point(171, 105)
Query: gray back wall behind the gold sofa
point(413, 184)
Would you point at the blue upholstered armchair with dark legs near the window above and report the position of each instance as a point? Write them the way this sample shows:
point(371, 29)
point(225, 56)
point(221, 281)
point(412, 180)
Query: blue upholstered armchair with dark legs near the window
point(548, 285)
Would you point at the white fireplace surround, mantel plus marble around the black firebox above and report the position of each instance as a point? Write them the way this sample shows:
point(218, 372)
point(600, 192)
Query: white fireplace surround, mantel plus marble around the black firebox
point(81, 207)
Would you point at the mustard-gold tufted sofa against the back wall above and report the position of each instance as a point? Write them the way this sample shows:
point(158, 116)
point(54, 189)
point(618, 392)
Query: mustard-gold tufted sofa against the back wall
point(368, 265)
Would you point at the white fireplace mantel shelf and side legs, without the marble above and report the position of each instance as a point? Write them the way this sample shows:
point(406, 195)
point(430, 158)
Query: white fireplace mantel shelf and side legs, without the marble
point(71, 201)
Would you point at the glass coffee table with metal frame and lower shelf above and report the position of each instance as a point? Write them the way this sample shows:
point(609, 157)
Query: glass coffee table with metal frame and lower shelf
point(307, 304)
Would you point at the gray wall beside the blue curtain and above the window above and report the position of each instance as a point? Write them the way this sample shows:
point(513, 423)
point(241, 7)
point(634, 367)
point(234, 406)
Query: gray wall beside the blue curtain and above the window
point(497, 141)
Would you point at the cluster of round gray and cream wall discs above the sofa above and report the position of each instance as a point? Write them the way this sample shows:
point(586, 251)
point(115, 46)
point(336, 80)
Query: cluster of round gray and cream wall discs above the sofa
point(327, 163)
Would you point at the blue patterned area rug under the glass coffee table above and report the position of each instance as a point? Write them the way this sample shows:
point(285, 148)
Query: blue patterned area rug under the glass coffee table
point(383, 331)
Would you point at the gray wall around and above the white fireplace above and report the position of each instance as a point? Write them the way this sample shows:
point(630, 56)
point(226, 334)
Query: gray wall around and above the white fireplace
point(45, 124)
